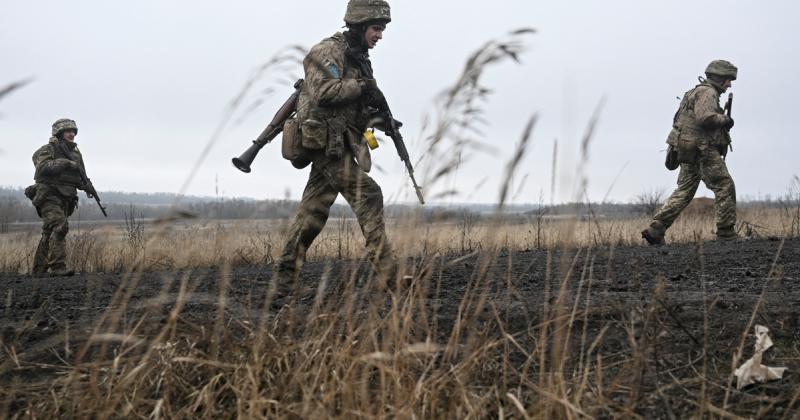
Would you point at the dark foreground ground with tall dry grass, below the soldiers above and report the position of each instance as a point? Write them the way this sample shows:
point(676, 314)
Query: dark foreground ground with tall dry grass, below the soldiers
point(597, 331)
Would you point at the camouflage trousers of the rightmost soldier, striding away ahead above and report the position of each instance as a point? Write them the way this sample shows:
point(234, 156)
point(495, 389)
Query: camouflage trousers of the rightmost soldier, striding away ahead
point(711, 169)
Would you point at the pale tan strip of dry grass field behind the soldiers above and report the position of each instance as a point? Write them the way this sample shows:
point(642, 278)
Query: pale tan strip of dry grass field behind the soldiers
point(194, 244)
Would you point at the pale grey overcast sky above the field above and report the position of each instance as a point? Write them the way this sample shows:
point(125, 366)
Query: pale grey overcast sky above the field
point(148, 82)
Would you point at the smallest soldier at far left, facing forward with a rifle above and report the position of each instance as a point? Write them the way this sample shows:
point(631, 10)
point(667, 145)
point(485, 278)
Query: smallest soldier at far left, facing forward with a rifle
point(55, 197)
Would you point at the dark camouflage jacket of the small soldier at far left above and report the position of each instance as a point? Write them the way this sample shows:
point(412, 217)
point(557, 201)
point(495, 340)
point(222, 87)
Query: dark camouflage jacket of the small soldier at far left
point(53, 168)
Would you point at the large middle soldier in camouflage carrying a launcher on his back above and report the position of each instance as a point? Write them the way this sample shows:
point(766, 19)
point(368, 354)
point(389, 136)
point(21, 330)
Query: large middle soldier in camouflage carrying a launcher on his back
point(334, 110)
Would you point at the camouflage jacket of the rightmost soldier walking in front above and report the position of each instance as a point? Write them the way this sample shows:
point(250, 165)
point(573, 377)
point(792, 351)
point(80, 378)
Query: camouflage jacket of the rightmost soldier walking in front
point(700, 117)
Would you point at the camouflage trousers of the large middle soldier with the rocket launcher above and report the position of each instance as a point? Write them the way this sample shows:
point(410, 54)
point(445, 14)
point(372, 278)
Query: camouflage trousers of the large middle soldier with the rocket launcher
point(327, 180)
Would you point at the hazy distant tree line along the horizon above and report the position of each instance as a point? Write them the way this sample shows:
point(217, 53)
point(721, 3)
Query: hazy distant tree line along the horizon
point(16, 208)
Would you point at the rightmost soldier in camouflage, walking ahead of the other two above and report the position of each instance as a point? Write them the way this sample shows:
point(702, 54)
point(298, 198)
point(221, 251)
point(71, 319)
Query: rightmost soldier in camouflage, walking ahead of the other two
point(699, 140)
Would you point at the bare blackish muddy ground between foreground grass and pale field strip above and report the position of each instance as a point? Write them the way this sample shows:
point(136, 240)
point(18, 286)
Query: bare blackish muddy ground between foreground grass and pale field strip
point(39, 315)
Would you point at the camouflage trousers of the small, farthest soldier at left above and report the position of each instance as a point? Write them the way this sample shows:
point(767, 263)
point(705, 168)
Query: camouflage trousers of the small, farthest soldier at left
point(52, 250)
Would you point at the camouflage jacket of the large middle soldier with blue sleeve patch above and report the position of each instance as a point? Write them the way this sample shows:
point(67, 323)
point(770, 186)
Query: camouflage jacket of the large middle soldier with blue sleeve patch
point(331, 110)
